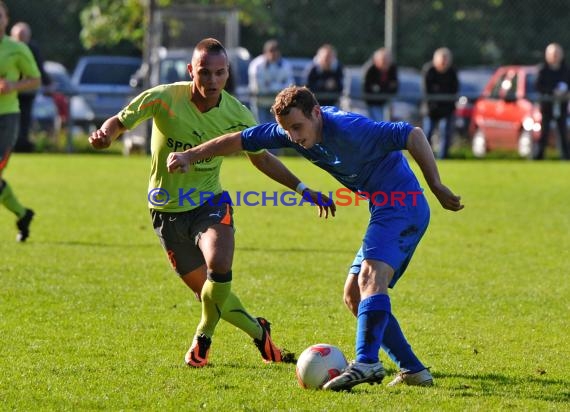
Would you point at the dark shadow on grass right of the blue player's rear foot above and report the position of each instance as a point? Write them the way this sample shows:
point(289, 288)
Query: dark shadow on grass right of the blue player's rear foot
point(496, 385)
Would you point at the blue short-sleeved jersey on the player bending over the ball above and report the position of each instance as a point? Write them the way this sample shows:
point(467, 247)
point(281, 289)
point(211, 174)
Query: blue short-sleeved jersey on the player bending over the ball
point(361, 154)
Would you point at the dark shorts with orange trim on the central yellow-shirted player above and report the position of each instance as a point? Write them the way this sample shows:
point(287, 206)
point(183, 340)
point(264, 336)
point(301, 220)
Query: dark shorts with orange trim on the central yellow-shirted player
point(180, 232)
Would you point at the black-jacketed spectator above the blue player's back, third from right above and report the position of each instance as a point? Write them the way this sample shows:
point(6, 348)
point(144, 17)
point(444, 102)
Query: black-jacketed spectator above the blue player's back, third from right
point(380, 79)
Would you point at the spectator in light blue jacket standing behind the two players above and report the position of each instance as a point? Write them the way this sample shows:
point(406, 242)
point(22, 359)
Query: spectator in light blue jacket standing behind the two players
point(268, 74)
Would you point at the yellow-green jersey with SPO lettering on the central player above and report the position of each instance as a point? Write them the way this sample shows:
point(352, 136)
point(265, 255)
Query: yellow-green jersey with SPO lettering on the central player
point(178, 125)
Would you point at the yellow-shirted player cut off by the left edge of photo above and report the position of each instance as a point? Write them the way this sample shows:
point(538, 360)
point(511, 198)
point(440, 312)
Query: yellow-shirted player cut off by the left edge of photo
point(18, 72)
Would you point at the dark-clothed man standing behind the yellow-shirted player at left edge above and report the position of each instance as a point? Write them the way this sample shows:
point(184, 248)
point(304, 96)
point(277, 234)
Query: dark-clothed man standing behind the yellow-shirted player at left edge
point(22, 32)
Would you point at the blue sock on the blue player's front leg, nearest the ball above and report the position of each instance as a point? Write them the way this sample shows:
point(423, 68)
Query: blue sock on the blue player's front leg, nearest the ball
point(373, 315)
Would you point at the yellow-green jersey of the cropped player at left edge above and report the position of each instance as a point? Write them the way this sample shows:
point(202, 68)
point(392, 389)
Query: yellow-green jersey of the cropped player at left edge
point(16, 61)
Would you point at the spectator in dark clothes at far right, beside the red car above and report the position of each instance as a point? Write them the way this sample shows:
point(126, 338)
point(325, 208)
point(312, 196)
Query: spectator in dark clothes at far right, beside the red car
point(552, 83)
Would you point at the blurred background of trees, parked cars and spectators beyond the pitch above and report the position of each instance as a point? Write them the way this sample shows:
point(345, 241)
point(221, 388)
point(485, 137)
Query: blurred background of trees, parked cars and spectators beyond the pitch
point(475, 78)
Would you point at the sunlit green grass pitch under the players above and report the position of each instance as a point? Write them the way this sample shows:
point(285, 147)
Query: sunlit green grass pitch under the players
point(93, 318)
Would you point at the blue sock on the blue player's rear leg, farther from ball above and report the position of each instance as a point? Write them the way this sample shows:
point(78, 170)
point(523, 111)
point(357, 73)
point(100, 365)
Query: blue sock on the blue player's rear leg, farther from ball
point(398, 348)
